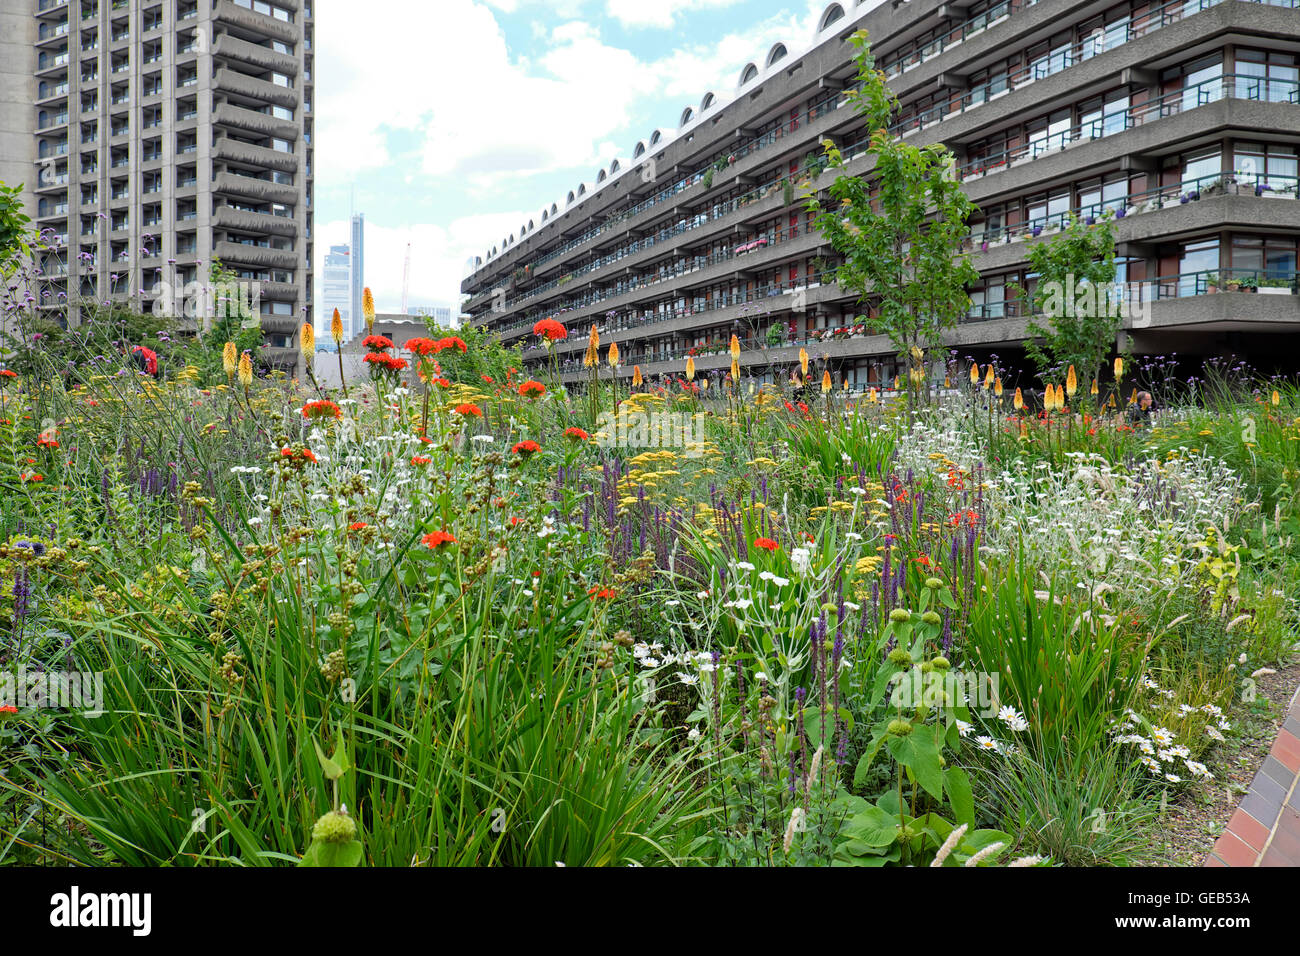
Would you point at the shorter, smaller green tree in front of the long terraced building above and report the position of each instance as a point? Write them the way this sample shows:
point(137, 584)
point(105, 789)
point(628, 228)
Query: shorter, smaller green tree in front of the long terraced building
point(1076, 275)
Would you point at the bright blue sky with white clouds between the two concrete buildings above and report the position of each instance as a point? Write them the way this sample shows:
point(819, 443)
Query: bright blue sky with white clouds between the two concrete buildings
point(456, 122)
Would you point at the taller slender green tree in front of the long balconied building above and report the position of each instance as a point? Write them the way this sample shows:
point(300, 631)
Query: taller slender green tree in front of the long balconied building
point(900, 235)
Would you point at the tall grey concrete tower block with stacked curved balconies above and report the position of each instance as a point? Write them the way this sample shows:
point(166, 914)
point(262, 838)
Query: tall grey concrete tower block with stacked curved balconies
point(161, 136)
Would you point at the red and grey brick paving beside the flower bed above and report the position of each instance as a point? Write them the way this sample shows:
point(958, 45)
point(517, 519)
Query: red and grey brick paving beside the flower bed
point(1266, 830)
